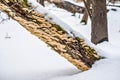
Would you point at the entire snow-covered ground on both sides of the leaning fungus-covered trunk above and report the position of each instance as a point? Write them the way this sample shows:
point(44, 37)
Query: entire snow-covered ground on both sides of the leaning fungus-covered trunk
point(25, 57)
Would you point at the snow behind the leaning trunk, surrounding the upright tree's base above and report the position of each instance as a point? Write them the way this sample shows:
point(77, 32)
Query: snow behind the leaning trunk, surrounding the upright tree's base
point(72, 24)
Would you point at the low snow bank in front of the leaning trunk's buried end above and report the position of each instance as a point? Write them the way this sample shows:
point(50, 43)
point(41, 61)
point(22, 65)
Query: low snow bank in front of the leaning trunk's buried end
point(99, 71)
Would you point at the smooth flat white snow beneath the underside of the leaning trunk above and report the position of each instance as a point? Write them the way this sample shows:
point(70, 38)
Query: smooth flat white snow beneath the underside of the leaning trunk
point(25, 57)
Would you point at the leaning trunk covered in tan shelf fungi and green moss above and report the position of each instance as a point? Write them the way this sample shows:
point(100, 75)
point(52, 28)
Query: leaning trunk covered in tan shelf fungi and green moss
point(73, 49)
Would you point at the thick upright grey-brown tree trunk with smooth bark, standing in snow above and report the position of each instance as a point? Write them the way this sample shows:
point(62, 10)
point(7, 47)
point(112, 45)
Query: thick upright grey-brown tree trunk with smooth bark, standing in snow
point(99, 22)
